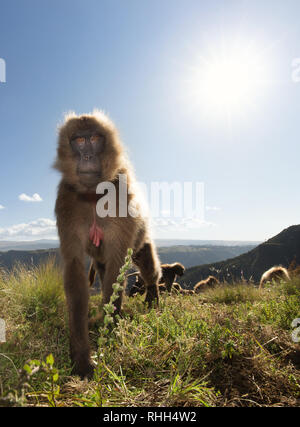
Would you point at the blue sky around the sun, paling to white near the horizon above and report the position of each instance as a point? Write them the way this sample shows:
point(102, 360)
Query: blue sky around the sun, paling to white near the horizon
point(133, 58)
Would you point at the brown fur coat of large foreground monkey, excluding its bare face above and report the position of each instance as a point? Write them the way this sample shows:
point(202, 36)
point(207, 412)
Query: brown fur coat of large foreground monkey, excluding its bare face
point(74, 212)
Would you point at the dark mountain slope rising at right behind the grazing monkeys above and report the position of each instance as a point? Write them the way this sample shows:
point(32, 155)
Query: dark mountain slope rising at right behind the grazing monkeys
point(282, 249)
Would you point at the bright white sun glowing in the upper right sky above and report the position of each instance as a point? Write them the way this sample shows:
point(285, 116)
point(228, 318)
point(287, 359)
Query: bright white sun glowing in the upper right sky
point(229, 80)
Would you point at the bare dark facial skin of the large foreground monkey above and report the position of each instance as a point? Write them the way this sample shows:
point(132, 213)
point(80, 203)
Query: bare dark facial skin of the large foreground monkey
point(87, 146)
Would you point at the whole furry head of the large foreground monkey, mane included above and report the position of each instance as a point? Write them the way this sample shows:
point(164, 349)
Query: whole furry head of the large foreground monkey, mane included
point(89, 151)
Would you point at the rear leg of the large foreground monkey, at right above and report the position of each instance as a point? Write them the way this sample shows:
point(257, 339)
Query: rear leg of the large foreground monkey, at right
point(147, 261)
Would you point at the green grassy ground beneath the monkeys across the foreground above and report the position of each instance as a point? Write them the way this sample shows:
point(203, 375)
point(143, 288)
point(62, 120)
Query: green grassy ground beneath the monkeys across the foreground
point(229, 346)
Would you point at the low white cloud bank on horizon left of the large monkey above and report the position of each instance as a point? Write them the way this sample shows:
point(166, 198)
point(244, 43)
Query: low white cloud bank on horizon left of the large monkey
point(40, 228)
